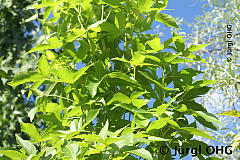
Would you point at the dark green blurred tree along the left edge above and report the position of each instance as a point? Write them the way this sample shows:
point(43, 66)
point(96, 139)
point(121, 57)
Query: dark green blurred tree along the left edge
point(17, 33)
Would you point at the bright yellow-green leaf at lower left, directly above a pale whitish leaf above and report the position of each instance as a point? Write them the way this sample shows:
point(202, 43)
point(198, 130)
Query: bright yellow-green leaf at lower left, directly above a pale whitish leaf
point(31, 130)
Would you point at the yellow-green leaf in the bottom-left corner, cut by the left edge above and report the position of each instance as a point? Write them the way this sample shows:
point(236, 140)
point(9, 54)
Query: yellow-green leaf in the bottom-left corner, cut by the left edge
point(12, 154)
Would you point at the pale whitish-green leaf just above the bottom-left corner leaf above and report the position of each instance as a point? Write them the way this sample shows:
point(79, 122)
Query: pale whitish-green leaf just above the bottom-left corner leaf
point(27, 146)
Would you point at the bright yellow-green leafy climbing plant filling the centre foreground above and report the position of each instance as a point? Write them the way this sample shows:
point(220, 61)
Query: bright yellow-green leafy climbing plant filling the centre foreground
point(102, 110)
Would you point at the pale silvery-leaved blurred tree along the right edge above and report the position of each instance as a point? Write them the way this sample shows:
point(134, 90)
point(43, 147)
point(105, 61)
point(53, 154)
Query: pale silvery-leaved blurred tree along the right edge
point(212, 27)
